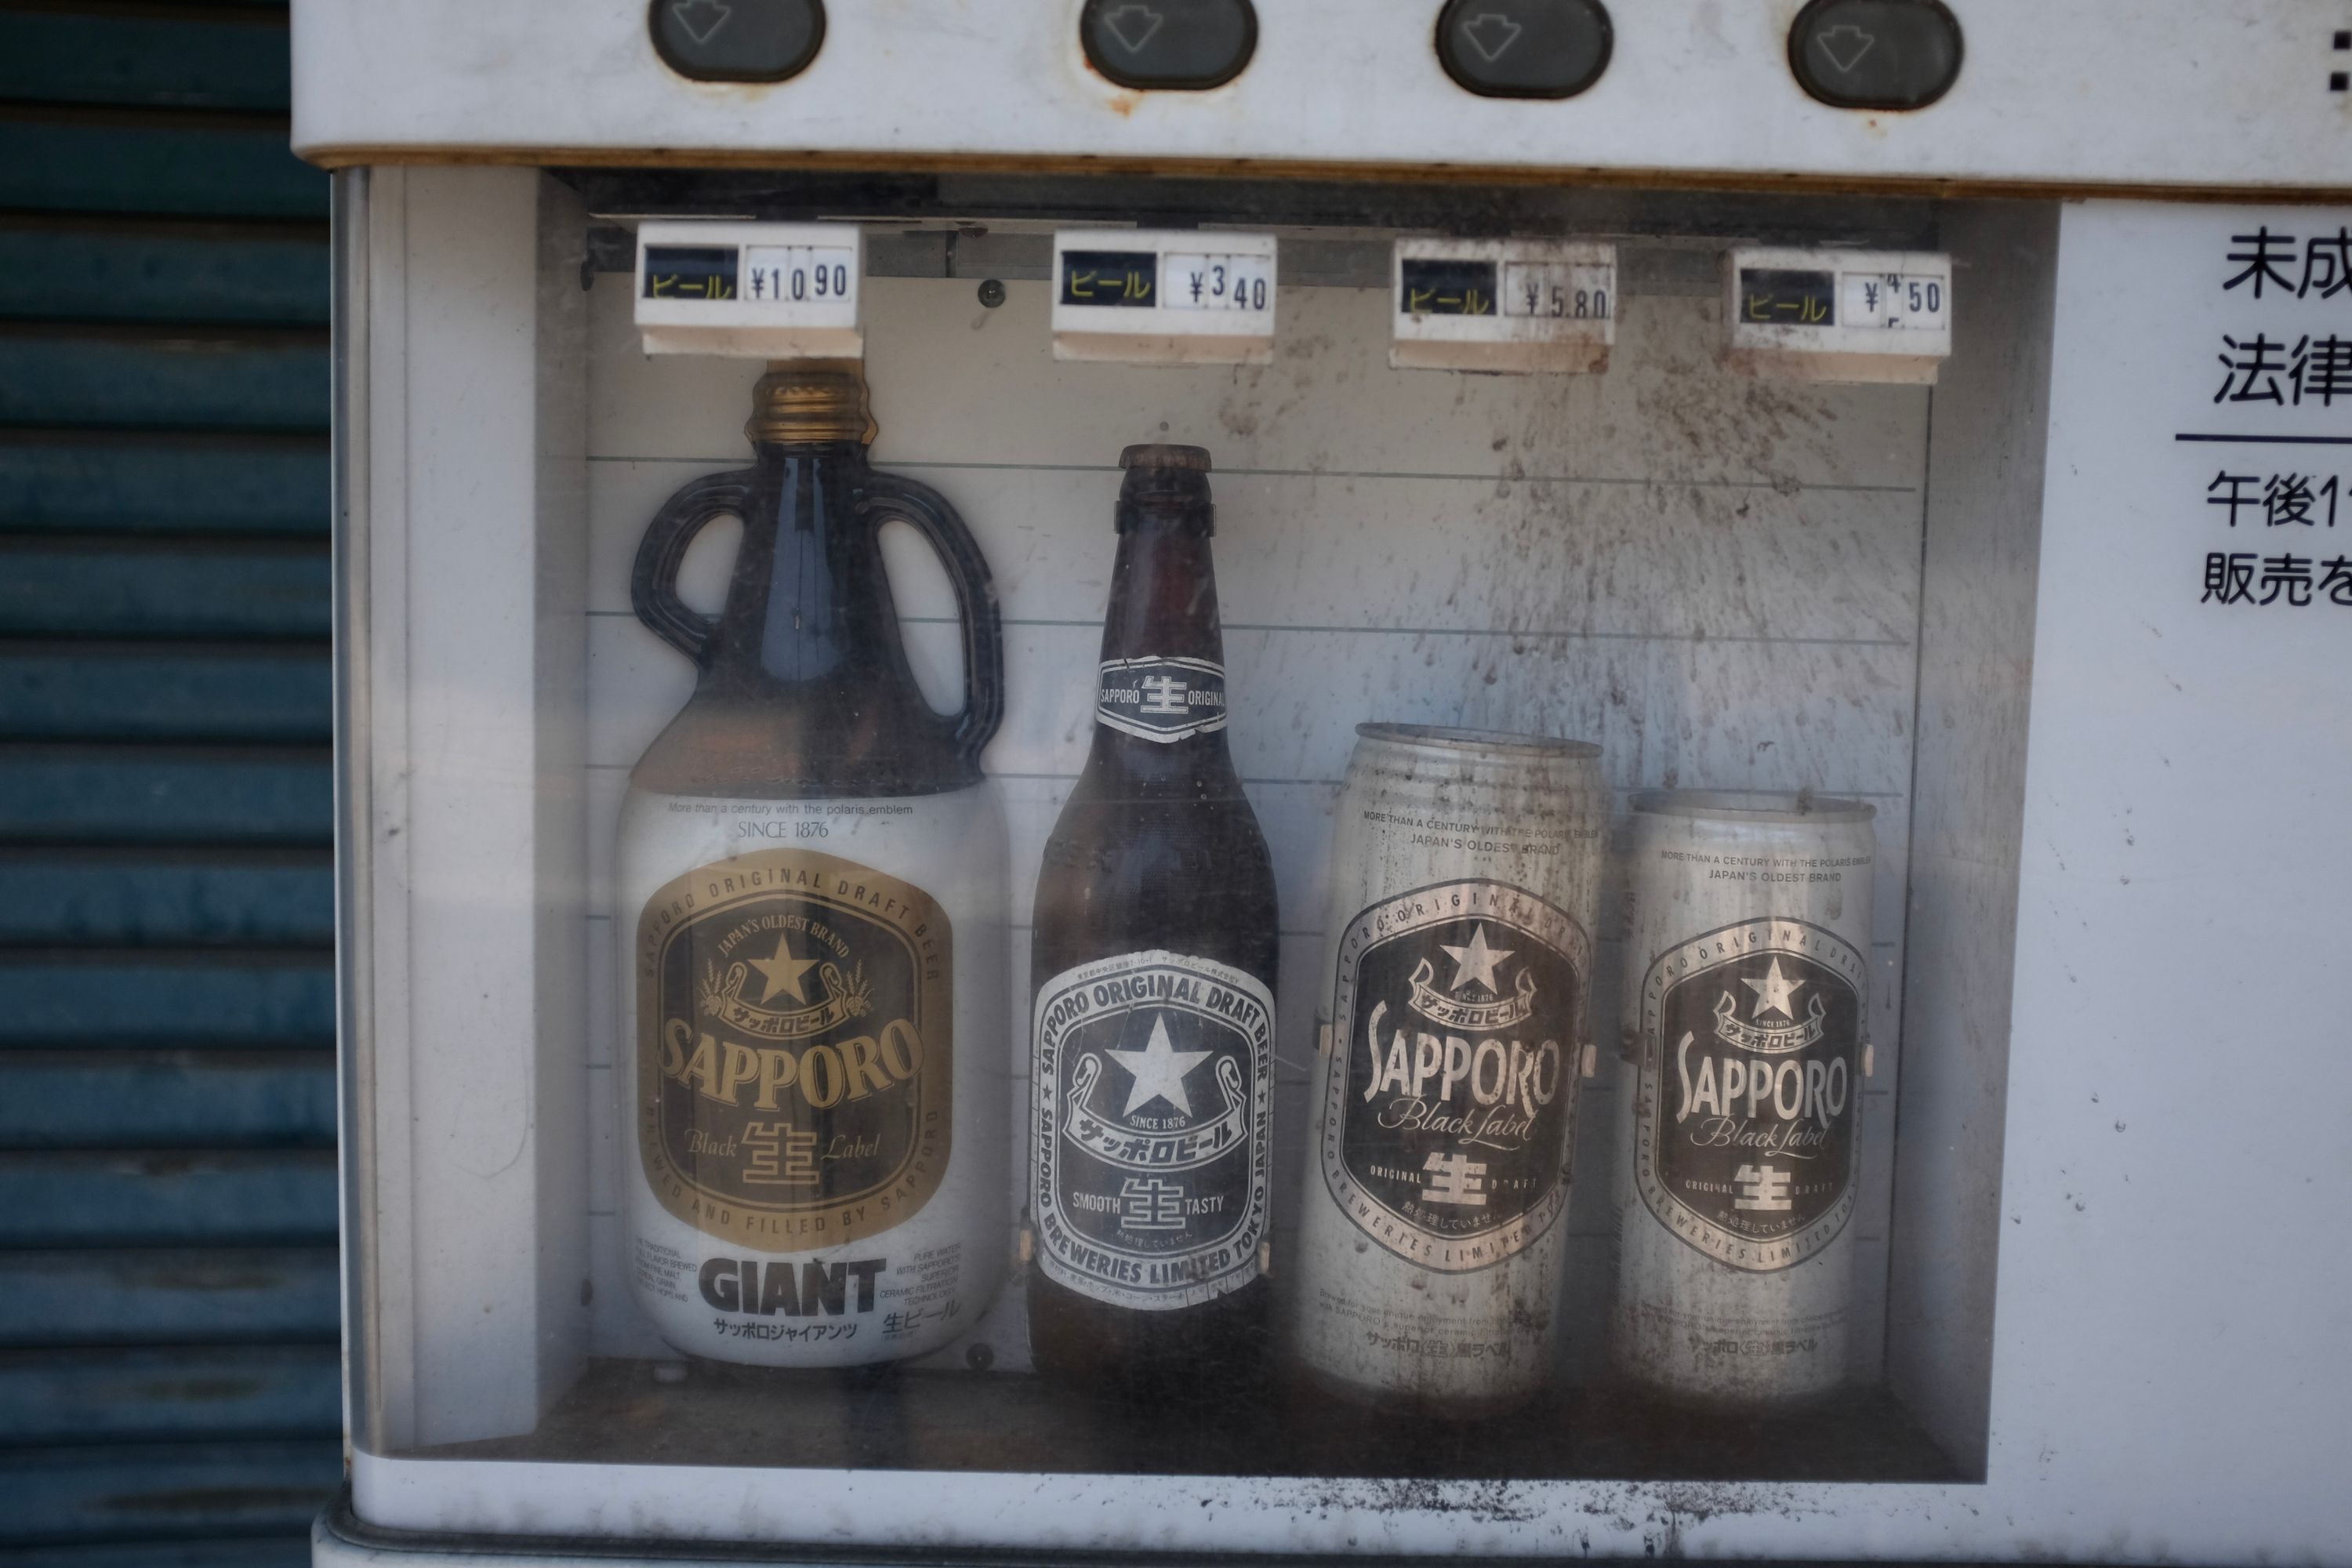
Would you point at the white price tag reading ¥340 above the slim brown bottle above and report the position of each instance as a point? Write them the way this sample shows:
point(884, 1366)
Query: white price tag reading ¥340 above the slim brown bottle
point(1165, 297)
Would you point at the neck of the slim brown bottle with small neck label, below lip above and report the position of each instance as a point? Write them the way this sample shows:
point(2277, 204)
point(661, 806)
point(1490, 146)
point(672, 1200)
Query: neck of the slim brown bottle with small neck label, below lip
point(1163, 678)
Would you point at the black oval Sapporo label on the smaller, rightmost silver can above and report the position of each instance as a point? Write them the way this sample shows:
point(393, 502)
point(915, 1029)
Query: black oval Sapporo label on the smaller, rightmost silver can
point(1751, 1092)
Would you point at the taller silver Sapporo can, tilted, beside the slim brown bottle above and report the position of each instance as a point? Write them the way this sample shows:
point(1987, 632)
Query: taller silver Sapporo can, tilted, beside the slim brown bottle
point(1459, 953)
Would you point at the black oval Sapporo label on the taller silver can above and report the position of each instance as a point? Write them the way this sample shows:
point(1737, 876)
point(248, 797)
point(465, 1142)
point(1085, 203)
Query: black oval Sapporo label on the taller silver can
point(1450, 1125)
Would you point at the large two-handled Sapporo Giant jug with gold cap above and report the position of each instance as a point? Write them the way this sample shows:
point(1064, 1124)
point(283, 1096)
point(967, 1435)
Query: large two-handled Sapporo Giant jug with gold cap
point(810, 883)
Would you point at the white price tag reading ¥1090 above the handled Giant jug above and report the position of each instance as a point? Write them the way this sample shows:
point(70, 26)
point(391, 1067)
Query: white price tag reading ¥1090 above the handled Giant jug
point(751, 290)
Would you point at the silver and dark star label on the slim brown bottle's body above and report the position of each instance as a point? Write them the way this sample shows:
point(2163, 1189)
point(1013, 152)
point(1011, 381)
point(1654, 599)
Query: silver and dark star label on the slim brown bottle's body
point(1154, 1134)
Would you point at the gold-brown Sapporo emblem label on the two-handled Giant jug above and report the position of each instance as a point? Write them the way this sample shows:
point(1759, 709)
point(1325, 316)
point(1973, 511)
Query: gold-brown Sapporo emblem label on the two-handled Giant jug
point(794, 1050)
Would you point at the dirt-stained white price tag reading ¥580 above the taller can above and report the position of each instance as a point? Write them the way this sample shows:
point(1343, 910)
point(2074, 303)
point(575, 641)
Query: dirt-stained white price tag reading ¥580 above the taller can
point(1504, 304)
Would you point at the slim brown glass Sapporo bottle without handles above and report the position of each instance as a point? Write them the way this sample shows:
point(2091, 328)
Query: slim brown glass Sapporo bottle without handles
point(1154, 974)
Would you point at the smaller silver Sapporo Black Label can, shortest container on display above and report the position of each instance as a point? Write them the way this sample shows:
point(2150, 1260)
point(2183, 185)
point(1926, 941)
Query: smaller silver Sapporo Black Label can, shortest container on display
point(1746, 1017)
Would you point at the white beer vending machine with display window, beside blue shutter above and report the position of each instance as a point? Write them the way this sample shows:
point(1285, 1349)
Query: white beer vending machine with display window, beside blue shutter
point(1342, 777)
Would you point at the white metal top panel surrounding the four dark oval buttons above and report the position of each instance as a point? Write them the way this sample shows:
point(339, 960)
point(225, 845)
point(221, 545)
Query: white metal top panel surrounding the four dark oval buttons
point(2156, 93)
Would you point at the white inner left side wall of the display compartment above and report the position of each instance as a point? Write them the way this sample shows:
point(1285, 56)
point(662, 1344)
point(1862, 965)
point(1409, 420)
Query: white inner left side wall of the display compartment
point(479, 808)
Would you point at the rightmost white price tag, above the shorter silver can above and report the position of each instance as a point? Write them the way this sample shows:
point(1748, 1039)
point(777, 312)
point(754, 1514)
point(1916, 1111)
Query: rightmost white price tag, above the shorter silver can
point(1838, 316)
